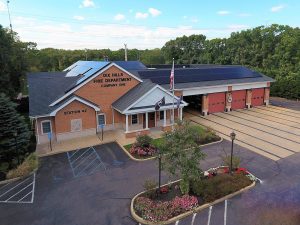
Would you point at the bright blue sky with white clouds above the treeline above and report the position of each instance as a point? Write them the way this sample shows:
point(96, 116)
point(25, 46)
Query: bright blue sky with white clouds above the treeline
point(141, 24)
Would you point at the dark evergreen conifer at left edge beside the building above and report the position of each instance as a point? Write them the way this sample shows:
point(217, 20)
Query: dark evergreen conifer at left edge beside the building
point(11, 123)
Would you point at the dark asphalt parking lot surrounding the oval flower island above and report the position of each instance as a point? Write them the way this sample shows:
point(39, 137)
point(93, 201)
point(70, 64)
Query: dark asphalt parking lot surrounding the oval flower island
point(101, 195)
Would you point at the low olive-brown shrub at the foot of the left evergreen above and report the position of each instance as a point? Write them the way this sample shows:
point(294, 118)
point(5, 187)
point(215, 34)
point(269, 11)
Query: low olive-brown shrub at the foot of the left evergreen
point(30, 163)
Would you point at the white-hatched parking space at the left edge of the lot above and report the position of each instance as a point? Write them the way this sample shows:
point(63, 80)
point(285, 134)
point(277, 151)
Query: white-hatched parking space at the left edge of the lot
point(21, 191)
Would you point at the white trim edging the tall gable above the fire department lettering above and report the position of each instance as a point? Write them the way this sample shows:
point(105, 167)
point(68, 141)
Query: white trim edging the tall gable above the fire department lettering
point(89, 79)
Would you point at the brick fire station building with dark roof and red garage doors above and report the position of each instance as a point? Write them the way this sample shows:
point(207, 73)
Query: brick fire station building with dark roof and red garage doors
point(93, 95)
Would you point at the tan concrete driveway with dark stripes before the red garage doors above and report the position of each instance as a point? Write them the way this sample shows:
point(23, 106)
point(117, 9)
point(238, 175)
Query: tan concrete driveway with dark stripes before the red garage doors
point(273, 132)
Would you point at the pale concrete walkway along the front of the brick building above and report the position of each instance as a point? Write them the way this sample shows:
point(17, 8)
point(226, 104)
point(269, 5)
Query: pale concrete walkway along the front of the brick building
point(108, 136)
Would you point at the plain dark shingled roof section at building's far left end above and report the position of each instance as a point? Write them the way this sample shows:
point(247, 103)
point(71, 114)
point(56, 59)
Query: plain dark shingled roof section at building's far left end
point(44, 88)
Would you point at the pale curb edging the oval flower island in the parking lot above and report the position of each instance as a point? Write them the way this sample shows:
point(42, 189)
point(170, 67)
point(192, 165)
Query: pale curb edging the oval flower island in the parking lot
point(183, 215)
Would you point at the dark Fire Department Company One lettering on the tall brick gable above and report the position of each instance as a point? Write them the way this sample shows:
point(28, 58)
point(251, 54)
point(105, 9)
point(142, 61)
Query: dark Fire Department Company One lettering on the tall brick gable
point(112, 80)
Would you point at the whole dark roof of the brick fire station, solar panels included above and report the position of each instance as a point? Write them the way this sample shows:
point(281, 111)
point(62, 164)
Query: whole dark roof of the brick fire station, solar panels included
point(46, 87)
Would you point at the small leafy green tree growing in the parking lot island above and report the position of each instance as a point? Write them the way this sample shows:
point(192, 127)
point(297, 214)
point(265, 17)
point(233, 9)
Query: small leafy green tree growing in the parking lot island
point(182, 155)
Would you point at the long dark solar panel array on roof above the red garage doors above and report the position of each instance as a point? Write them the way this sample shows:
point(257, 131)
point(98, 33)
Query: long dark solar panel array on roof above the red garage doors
point(188, 75)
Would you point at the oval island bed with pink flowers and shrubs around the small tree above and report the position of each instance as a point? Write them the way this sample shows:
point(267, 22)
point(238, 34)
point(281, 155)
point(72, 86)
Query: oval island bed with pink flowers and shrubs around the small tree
point(169, 202)
